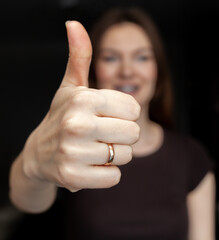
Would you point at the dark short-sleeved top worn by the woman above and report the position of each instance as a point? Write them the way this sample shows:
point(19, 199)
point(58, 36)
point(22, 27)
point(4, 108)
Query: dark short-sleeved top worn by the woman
point(148, 203)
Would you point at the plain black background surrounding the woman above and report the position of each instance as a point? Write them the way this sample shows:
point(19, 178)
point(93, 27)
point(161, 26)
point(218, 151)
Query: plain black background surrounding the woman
point(33, 56)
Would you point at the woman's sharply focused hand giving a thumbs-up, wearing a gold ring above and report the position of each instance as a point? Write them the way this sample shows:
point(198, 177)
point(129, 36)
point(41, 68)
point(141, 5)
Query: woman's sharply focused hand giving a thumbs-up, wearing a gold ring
point(69, 148)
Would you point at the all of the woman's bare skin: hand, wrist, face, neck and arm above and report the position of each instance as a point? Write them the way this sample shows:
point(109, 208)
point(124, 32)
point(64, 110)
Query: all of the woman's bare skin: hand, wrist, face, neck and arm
point(54, 154)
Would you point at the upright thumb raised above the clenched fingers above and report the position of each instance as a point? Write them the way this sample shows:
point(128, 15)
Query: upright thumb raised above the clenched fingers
point(80, 52)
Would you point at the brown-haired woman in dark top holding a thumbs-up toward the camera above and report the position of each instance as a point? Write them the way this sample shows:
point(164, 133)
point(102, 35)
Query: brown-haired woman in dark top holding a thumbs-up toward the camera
point(166, 191)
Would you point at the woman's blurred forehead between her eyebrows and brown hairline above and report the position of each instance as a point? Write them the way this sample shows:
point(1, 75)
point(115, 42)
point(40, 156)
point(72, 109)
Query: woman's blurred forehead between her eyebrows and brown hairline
point(125, 36)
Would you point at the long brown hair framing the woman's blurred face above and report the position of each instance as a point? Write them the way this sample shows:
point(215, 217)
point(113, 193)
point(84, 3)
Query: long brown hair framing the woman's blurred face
point(160, 109)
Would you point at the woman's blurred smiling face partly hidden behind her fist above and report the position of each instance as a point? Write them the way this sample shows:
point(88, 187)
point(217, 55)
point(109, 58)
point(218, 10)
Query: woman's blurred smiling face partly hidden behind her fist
point(126, 62)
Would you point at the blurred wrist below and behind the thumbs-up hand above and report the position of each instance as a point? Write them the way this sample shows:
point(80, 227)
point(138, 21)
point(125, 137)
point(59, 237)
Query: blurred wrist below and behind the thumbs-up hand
point(29, 194)
